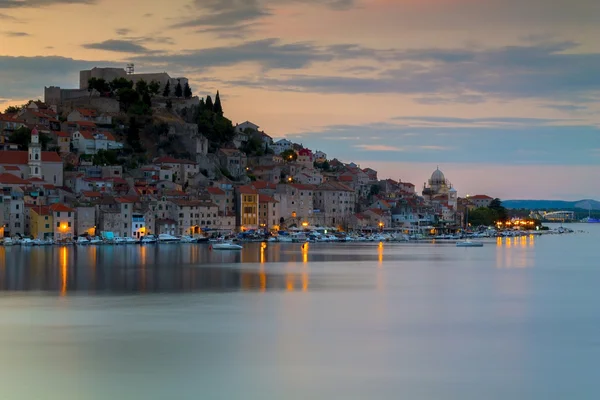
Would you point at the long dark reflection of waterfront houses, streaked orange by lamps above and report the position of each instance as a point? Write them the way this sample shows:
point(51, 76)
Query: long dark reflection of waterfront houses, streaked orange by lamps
point(167, 268)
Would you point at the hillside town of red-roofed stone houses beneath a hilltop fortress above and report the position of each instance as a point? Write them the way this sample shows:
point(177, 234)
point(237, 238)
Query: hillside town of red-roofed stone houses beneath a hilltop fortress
point(129, 155)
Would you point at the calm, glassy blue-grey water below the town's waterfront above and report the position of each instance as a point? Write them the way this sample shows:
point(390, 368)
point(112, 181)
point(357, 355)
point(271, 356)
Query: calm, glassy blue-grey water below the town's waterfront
point(516, 319)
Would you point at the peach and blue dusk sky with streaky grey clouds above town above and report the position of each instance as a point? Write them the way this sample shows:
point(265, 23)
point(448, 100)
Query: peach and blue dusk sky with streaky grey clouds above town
point(502, 95)
